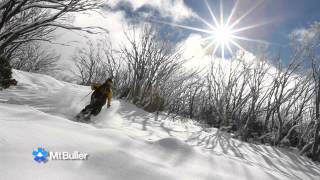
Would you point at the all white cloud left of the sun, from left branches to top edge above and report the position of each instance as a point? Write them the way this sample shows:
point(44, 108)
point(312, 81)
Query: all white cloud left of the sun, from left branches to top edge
point(116, 22)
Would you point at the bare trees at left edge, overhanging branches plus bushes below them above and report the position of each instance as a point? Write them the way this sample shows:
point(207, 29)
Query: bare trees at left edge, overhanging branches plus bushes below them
point(24, 24)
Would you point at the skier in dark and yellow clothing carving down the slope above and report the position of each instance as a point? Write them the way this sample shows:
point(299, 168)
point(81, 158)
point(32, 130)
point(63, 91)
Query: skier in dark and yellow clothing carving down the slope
point(101, 93)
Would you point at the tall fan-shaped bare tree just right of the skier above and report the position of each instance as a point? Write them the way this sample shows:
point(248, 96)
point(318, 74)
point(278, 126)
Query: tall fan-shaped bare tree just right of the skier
point(151, 61)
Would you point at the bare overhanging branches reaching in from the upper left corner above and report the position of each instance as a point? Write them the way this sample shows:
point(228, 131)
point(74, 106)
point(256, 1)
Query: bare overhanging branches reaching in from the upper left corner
point(28, 20)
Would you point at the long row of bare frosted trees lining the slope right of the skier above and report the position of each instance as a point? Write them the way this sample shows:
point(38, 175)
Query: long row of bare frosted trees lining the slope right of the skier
point(260, 100)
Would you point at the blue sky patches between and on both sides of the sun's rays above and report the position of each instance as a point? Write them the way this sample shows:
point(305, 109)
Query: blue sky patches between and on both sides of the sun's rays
point(283, 17)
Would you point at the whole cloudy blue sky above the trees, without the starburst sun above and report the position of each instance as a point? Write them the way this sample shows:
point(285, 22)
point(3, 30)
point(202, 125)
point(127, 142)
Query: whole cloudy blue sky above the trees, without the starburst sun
point(277, 19)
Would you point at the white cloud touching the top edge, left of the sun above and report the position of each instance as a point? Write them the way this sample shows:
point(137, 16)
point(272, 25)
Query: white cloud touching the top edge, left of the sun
point(174, 9)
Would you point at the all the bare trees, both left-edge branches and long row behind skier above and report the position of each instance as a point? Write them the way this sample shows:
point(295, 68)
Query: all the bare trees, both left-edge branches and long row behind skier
point(262, 99)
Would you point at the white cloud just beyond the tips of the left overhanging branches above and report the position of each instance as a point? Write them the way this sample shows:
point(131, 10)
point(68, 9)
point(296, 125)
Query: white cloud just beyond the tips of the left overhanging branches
point(114, 22)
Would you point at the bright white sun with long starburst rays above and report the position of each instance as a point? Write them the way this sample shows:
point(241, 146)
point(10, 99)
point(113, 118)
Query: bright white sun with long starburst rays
point(223, 33)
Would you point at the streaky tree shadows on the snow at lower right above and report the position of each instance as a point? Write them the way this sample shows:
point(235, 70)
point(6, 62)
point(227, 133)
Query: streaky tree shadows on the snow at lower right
point(269, 158)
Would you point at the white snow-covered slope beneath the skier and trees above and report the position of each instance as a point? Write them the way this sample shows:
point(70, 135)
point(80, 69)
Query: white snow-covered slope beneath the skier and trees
point(124, 142)
